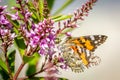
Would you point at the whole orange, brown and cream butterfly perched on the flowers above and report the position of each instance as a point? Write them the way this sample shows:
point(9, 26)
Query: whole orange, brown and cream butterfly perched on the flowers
point(78, 51)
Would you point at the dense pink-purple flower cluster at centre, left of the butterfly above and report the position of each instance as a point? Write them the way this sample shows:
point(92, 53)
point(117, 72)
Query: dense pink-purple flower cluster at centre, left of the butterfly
point(42, 35)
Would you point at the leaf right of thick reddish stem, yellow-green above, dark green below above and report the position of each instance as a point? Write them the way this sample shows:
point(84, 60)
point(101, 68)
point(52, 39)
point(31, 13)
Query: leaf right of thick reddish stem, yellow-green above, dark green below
point(32, 64)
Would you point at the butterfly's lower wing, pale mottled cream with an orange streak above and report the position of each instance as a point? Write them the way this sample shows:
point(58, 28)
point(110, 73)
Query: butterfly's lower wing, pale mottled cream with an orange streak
point(81, 60)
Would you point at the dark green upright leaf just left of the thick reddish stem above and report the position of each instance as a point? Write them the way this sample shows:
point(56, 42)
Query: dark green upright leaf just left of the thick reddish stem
point(11, 59)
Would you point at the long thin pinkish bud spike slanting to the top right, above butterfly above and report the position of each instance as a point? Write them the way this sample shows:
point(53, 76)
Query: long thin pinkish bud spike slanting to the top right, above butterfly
point(78, 15)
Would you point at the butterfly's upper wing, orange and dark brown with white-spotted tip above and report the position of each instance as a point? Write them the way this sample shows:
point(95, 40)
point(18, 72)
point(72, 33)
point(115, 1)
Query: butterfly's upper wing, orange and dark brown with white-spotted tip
point(90, 42)
